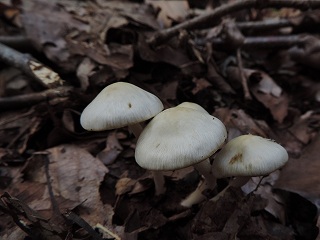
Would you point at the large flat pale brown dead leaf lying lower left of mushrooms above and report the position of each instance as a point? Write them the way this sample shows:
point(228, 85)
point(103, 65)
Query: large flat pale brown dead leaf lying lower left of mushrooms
point(75, 176)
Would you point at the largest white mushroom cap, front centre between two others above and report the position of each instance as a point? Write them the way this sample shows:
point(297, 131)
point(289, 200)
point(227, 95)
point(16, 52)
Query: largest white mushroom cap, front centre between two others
point(179, 137)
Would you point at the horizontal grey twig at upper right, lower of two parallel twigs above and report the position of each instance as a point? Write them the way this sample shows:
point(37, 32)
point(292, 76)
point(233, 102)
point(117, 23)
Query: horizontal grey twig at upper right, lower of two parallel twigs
point(263, 42)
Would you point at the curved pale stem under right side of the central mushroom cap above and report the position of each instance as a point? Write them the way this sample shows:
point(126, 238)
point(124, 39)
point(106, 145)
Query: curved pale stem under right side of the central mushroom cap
point(204, 168)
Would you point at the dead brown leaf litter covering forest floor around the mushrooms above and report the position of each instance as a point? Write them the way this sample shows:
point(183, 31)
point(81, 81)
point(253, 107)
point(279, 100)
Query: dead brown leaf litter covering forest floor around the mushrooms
point(58, 181)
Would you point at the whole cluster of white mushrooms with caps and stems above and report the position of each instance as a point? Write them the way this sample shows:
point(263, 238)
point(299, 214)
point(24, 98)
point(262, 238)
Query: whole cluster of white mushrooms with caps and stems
point(181, 136)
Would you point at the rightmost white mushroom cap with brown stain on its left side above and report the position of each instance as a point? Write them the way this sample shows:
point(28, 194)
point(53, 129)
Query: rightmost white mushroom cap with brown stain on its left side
point(249, 155)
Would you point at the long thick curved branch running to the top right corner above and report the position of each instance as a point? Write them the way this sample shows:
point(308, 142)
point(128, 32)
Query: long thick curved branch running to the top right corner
point(212, 18)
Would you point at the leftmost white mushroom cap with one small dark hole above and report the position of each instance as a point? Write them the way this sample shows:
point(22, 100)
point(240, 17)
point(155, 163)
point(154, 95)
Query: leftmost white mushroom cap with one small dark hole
point(119, 104)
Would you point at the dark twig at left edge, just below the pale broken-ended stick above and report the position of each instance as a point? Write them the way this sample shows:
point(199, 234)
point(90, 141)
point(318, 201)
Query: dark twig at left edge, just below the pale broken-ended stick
point(27, 100)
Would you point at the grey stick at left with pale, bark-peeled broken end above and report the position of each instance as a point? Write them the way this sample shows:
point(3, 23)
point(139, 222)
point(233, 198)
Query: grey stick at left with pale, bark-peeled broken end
point(29, 66)
